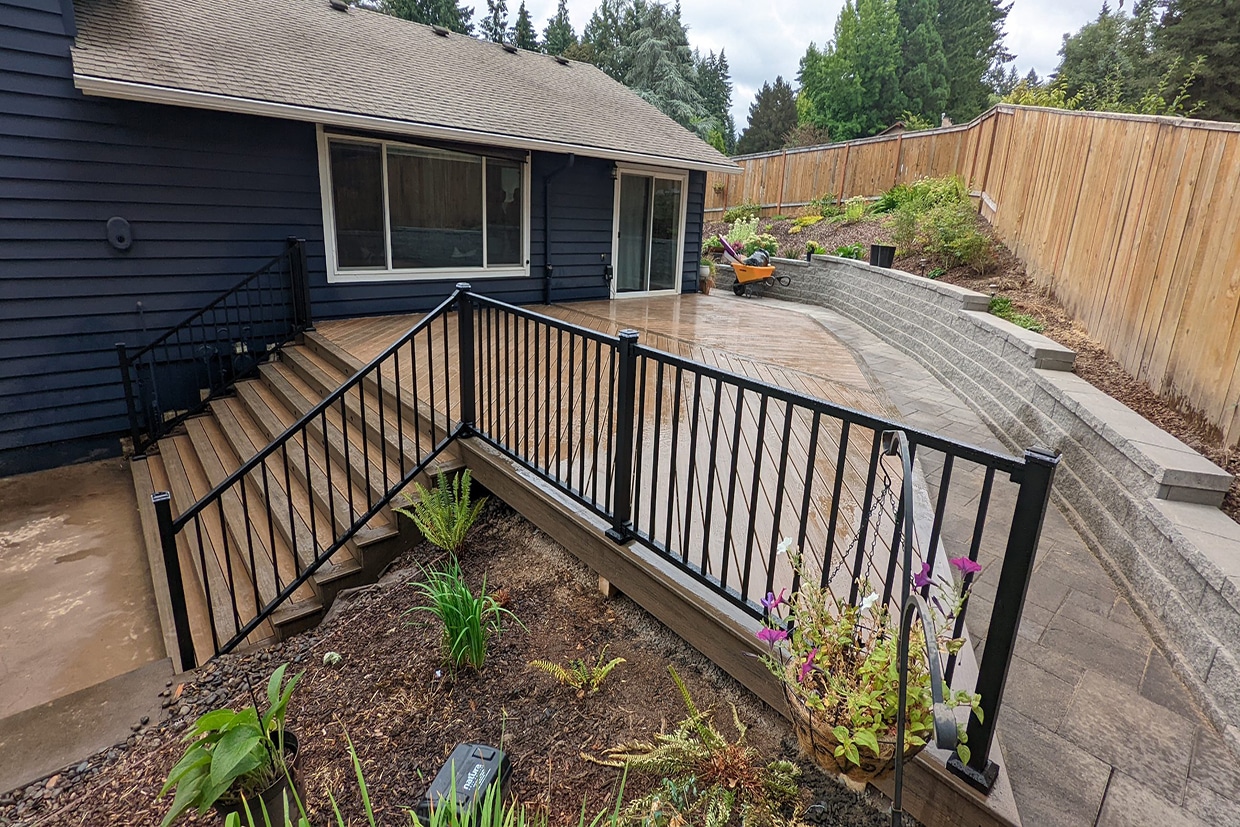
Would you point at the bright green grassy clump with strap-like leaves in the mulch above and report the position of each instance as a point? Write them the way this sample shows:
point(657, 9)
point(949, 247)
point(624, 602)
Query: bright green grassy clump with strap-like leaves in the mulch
point(469, 619)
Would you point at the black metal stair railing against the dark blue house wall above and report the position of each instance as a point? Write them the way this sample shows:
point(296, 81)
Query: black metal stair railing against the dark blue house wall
point(184, 369)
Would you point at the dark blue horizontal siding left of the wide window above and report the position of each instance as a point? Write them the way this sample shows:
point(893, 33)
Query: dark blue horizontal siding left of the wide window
point(209, 197)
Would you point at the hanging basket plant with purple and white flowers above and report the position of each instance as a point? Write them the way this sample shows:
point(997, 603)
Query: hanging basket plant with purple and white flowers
point(839, 669)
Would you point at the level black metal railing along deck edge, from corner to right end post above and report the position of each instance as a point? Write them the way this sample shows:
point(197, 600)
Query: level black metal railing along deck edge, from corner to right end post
point(712, 471)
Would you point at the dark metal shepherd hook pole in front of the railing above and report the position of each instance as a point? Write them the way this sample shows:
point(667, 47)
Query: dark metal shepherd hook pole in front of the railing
point(914, 607)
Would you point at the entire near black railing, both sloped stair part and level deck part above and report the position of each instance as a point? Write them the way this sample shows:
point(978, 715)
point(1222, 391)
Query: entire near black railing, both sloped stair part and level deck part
point(707, 468)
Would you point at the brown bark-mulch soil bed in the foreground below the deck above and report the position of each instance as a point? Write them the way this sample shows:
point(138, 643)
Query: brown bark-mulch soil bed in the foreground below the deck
point(405, 711)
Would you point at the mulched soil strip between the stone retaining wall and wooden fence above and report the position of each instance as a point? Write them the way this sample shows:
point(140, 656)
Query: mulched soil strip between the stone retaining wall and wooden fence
point(1009, 278)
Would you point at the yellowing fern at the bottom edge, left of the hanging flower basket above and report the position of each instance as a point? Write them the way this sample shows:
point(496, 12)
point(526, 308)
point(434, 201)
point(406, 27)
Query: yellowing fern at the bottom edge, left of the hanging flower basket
point(707, 778)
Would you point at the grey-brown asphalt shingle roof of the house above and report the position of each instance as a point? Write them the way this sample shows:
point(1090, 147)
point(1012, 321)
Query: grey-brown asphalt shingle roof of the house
point(304, 54)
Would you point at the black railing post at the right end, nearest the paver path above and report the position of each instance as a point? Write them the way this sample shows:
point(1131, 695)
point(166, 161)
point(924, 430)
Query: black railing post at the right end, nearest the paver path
point(1031, 509)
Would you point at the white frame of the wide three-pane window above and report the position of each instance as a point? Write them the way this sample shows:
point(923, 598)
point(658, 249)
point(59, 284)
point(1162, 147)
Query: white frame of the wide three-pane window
point(339, 276)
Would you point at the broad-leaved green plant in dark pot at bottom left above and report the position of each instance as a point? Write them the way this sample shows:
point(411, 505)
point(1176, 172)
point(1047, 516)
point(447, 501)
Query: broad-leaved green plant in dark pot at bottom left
point(239, 759)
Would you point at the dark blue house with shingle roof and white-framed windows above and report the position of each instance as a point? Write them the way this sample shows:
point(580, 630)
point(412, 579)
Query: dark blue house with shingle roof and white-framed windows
point(154, 152)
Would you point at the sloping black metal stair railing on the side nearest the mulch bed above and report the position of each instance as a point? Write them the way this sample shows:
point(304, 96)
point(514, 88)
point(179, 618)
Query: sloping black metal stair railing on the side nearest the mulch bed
point(262, 533)
